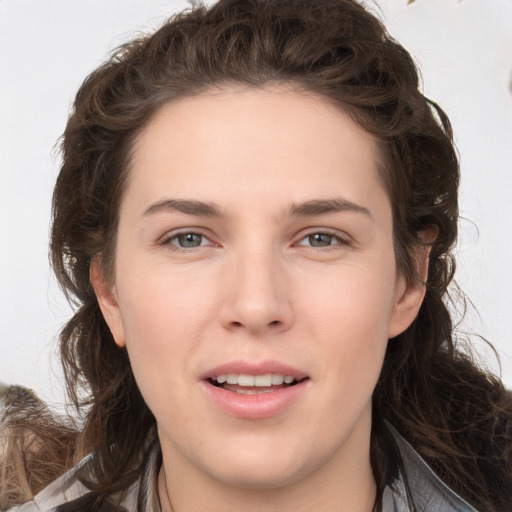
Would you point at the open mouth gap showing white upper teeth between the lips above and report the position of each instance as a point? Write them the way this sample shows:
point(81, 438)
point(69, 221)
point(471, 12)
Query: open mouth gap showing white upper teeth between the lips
point(246, 384)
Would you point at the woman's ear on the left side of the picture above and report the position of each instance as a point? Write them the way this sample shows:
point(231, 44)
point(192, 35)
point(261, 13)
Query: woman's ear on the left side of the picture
point(107, 299)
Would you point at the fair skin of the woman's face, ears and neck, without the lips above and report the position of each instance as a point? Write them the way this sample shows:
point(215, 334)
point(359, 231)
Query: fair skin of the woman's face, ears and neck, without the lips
point(259, 286)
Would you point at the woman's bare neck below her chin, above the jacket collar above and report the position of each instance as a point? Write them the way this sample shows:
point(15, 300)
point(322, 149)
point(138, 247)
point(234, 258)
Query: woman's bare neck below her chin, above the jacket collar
point(345, 483)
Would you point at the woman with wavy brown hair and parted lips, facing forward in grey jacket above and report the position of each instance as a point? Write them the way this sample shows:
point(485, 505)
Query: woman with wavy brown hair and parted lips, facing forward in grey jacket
point(255, 215)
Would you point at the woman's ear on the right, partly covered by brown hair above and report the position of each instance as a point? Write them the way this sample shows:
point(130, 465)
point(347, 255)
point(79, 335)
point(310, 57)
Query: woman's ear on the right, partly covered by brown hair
point(409, 294)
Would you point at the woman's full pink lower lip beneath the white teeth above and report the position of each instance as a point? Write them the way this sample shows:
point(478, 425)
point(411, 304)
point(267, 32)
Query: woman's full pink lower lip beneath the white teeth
point(255, 407)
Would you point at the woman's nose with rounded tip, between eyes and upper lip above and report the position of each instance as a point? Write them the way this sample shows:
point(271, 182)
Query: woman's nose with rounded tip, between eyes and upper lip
point(256, 294)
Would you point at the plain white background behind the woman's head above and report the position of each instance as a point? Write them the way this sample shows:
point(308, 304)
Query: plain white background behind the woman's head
point(47, 47)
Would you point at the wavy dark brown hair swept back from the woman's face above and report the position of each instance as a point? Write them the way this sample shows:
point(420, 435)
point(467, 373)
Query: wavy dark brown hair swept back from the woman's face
point(457, 416)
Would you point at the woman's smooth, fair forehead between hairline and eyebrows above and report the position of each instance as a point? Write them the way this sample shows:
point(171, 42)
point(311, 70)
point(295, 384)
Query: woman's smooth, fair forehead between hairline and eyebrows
point(276, 143)
